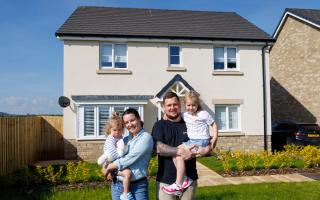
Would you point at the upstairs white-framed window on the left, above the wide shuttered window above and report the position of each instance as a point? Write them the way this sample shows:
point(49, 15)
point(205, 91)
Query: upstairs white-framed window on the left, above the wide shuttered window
point(113, 56)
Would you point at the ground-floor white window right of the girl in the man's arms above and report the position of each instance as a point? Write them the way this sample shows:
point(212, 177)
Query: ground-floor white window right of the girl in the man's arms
point(227, 117)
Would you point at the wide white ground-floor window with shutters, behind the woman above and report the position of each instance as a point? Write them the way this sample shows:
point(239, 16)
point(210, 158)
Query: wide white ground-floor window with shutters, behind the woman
point(92, 119)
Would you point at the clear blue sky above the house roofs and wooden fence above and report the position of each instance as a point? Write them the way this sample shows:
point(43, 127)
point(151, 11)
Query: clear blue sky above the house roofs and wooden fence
point(31, 57)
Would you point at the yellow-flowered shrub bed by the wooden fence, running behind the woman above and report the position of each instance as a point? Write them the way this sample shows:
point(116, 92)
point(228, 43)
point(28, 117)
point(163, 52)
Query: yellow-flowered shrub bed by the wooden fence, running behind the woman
point(72, 175)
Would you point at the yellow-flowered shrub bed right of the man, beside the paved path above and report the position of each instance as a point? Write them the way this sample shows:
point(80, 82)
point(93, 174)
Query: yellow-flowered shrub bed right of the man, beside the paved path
point(292, 160)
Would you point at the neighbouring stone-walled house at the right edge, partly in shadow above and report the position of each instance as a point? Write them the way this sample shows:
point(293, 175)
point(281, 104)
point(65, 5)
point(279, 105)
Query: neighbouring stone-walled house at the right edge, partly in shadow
point(295, 67)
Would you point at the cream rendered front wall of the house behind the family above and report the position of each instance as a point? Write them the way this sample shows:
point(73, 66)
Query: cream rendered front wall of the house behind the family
point(148, 63)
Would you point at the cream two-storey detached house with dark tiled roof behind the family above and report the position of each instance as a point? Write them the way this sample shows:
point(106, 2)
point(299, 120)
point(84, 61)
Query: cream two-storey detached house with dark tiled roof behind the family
point(115, 58)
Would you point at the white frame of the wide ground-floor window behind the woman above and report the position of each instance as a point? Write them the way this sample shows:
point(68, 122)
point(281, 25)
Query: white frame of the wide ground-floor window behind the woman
point(96, 136)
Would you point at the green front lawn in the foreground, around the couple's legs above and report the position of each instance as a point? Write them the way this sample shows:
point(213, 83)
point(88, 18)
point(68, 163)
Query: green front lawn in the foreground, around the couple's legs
point(290, 191)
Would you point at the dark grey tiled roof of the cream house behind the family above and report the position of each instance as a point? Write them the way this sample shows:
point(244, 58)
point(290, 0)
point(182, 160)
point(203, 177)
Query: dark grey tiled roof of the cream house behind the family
point(155, 23)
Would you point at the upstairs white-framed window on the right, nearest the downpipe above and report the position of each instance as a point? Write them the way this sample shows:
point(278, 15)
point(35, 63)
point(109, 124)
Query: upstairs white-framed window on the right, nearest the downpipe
point(225, 58)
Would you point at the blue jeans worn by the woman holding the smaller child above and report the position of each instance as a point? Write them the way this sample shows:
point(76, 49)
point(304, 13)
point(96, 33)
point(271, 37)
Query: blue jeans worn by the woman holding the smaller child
point(138, 190)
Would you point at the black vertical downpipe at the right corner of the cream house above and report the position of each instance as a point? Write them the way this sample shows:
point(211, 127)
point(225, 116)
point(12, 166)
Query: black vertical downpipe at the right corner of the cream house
point(265, 116)
